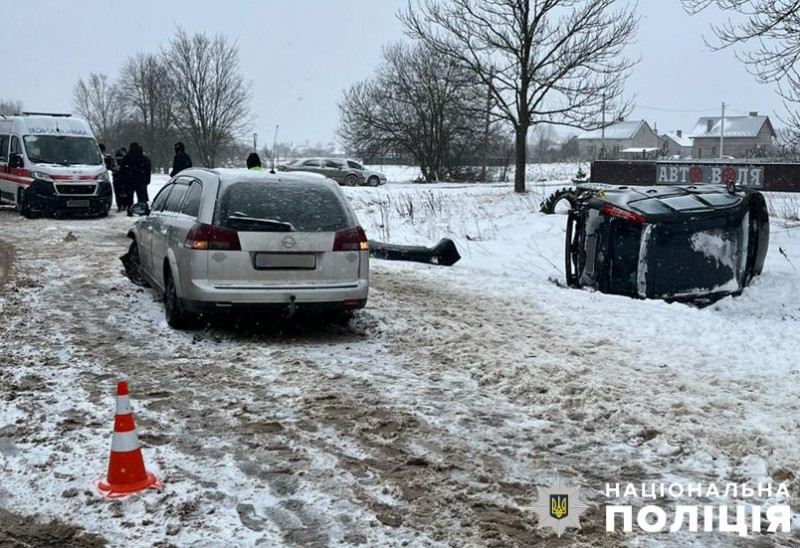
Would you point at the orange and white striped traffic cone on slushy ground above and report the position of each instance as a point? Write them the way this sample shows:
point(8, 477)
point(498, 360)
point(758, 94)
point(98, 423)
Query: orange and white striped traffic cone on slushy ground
point(126, 473)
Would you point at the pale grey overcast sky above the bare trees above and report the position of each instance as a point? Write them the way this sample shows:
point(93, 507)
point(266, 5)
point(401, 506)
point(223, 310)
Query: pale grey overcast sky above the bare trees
point(300, 55)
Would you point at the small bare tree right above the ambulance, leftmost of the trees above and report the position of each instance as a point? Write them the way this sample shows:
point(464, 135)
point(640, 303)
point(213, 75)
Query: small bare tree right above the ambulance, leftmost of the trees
point(100, 102)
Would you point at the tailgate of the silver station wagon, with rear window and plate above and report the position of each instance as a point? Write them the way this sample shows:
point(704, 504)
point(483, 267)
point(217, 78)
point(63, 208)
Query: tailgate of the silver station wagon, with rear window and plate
point(291, 235)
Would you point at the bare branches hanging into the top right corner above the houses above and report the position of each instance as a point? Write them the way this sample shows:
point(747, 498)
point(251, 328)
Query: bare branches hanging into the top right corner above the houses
point(774, 26)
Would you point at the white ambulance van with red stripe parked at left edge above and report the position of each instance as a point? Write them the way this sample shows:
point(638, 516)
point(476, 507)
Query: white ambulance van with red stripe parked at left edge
point(50, 164)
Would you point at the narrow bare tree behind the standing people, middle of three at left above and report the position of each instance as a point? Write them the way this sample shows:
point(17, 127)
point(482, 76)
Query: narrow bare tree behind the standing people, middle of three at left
point(147, 90)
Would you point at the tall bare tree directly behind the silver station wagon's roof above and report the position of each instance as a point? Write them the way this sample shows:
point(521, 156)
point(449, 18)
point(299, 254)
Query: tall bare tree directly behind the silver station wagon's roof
point(212, 96)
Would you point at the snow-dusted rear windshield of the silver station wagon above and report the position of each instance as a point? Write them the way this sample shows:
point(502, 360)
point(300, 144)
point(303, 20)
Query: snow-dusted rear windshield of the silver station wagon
point(305, 207)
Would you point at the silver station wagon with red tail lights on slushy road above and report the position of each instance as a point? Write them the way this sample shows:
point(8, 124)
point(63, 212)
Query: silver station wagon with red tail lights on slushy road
point(233, 239)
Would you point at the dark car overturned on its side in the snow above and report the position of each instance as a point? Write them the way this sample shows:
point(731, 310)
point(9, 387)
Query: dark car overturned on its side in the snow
point(693, 243)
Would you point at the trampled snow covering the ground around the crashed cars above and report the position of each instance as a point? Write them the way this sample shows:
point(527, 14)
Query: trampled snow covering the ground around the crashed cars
point(429, 420)
